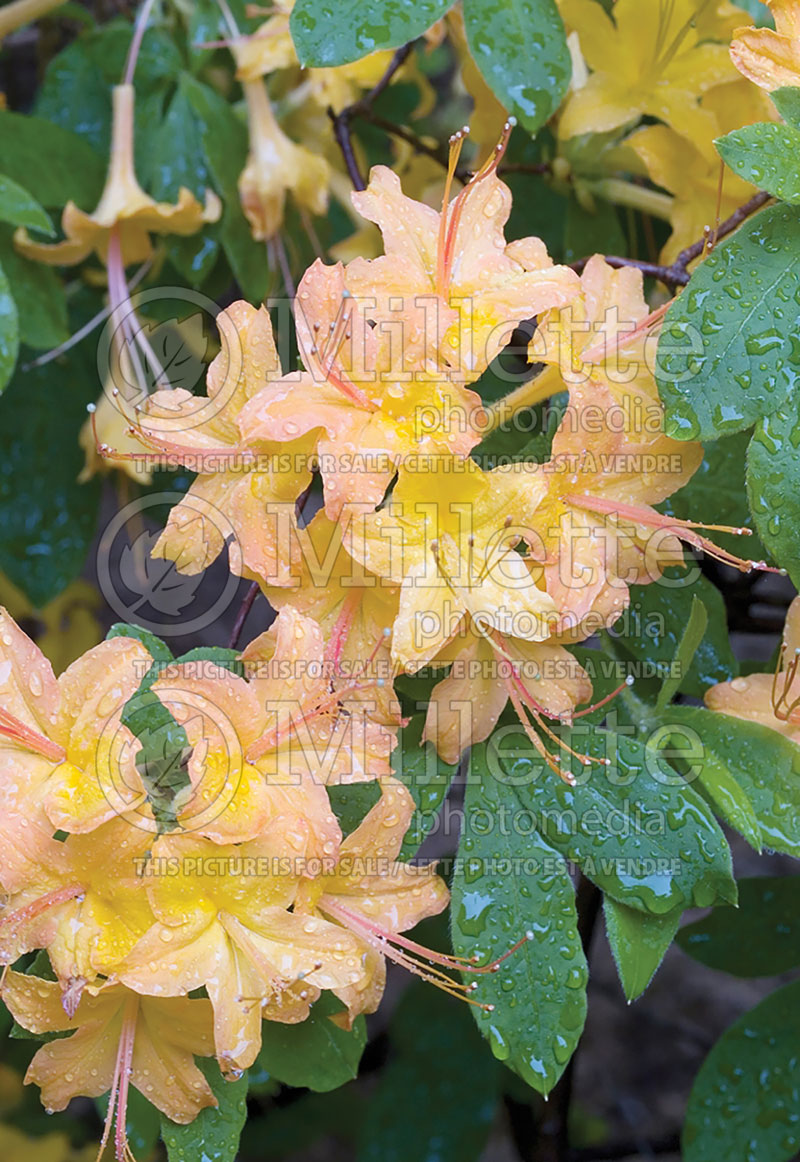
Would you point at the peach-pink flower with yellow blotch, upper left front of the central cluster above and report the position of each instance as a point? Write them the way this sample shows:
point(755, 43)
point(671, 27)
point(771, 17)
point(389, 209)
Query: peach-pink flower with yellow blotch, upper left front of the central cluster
point(368, 414)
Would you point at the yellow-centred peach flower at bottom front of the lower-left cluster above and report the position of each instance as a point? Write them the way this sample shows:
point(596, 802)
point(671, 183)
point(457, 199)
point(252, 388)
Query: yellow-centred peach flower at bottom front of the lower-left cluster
point(223, 922)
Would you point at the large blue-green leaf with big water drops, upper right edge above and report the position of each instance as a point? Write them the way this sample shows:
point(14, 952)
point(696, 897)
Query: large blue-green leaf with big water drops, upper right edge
point(728, 354)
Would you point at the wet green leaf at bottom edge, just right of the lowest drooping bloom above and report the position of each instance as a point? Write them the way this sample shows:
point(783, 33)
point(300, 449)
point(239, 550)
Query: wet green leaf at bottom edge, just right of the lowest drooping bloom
point(215, 1135)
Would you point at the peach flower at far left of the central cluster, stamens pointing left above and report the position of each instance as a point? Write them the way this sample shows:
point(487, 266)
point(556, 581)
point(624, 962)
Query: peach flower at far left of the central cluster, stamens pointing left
point(246, 493)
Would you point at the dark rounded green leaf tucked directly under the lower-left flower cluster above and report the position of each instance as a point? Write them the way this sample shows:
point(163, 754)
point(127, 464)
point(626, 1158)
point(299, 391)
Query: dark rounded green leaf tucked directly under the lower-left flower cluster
point(316, 1055)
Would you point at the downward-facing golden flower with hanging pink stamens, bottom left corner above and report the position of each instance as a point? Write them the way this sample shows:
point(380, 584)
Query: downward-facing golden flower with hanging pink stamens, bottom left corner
point(119, 1041)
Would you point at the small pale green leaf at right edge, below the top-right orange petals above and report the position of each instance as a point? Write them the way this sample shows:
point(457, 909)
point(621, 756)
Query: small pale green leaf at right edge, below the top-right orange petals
point(765, 155)
